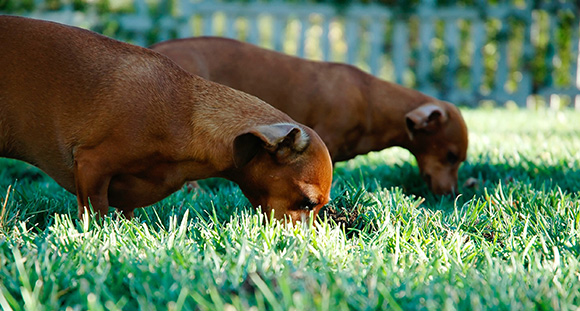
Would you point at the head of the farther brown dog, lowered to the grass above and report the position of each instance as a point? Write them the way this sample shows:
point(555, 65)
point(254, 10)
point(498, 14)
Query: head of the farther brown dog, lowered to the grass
point(438, 139)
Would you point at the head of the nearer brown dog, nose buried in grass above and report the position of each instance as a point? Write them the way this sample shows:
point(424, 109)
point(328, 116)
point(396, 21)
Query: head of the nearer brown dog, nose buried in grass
point(284, 168)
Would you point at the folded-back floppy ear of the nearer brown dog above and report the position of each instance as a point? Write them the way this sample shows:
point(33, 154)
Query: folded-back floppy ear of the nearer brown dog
point(280, 139)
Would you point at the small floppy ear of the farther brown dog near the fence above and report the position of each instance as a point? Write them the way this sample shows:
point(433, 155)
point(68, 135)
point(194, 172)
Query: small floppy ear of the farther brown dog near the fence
point(428, 117)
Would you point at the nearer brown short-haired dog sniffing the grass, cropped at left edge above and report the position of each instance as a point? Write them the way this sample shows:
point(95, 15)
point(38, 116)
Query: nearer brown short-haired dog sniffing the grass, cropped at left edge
point(124, 126)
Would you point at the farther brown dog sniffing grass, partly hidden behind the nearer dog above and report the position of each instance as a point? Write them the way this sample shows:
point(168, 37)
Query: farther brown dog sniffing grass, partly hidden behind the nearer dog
point(352, 111)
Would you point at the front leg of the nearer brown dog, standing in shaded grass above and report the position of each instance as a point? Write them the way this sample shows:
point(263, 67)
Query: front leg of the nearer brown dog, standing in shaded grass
point(91, 187)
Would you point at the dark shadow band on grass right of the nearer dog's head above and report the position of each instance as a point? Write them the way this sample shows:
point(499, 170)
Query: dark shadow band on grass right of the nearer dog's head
point(350, 204)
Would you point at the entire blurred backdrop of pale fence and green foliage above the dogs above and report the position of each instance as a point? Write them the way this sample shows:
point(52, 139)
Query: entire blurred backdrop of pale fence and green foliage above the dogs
point(513, 53)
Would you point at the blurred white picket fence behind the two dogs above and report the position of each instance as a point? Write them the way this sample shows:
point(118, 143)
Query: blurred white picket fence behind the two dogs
point(366, 24)
